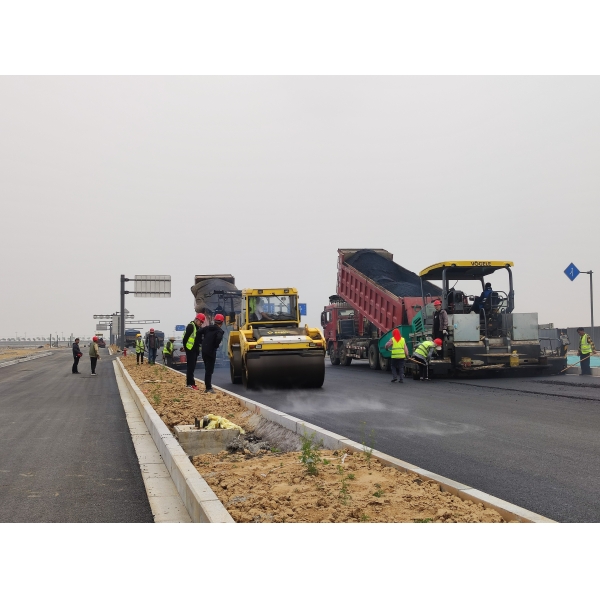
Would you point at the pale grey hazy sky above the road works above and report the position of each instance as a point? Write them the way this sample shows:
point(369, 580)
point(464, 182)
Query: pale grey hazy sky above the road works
point(266, 177)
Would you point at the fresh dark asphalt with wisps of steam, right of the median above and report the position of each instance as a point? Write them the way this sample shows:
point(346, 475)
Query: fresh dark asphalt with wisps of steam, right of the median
point(531, 441)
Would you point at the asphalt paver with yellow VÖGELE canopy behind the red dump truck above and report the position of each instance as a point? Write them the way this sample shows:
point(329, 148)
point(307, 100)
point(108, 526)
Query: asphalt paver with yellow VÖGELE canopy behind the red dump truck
point(484, 332)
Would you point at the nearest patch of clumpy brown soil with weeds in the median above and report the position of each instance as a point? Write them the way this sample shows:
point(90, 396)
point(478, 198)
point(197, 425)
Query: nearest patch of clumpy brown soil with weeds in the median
point(349, 487)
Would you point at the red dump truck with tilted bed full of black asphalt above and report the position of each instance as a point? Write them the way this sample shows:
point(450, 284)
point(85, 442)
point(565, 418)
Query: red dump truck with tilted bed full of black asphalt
point(374, 295)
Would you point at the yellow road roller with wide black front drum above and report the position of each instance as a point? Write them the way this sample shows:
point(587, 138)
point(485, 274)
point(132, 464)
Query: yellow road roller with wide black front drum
point(269, 348)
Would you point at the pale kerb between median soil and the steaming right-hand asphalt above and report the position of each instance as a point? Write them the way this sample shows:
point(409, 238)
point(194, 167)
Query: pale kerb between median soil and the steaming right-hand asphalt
point(333, 441)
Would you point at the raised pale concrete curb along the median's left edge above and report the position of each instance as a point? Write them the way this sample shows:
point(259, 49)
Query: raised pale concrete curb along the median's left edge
point(200, 501)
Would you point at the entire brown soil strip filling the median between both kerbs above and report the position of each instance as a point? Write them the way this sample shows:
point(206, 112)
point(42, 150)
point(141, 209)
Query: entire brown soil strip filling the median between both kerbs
point(257, 482)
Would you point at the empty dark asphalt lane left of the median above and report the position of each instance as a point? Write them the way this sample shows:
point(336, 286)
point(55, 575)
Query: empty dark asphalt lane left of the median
point(66, 454)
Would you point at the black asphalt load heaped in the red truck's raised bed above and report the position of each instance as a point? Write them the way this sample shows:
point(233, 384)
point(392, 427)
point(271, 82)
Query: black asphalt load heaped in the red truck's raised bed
point(394, 278)
